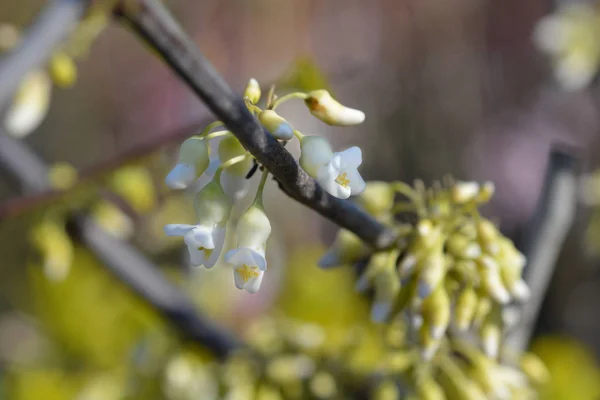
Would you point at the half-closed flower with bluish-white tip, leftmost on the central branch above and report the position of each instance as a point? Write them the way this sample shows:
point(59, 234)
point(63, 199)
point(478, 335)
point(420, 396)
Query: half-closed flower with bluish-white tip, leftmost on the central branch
point(193, 161)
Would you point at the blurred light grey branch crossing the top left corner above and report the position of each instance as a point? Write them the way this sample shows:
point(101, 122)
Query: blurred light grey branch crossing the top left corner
point(51, 28)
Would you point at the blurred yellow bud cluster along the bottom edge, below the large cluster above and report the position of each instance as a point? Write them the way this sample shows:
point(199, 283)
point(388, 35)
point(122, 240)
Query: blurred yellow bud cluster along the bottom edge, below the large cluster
point(286, 359)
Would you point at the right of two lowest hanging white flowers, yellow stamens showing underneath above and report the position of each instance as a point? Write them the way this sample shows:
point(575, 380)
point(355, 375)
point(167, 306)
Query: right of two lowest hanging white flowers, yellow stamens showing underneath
point(248, 258)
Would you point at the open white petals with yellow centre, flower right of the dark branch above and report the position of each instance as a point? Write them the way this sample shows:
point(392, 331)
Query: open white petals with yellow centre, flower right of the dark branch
point(340, 177)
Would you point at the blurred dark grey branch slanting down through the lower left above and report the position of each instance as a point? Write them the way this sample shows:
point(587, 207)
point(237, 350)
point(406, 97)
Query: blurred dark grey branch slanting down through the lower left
point(124, 261)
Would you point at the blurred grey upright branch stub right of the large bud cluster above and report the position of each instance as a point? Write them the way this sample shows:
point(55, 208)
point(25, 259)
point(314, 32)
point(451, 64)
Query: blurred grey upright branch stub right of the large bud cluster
point(545, 238)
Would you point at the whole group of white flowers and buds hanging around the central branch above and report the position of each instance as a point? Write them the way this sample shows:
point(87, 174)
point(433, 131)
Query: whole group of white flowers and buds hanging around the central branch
point(228, 174)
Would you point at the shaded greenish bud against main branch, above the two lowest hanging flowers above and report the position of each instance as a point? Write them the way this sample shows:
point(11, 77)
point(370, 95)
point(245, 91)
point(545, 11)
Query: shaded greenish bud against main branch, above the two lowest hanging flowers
point(233, 178)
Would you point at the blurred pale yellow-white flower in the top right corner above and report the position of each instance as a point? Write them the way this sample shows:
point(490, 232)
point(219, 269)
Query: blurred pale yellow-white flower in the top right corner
point(571, 37)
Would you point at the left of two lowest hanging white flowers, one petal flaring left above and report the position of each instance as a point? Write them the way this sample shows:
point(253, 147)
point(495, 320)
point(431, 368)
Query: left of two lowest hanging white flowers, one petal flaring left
point(205, 240)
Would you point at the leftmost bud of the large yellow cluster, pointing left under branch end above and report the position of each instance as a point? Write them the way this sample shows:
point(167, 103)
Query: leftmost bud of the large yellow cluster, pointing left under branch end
point(346, 249)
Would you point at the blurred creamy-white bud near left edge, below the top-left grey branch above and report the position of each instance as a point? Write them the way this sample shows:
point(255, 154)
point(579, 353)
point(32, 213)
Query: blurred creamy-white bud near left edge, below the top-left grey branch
point(30, 105)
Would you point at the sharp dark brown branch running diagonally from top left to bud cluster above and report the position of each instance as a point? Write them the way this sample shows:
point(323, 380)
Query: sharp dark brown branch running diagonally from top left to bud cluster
point(160, 30)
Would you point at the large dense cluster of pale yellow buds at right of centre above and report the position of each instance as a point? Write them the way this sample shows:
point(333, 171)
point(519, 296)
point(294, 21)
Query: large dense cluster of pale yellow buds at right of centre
point(451, 268)
